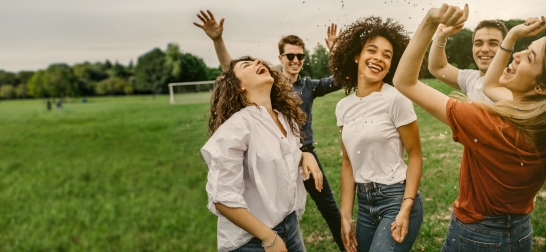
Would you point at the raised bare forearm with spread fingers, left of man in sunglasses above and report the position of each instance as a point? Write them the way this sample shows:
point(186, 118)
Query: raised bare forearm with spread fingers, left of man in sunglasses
point(214, 30)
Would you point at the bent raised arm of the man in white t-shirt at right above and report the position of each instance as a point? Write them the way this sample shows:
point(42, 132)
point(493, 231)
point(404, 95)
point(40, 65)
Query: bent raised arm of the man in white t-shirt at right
point(437, 59)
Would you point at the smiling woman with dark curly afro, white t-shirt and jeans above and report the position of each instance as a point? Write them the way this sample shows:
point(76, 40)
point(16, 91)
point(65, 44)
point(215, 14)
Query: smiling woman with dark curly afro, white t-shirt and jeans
point(376, 123)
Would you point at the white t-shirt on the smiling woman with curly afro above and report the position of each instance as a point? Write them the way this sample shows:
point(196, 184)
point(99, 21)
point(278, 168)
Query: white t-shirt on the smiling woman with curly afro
point(371, 137)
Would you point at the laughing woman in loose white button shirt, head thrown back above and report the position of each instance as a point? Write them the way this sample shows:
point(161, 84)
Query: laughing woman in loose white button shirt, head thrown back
point(256, 169)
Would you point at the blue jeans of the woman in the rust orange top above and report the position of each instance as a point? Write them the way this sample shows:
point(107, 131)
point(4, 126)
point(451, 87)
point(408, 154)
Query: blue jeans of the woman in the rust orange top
point(494, 233)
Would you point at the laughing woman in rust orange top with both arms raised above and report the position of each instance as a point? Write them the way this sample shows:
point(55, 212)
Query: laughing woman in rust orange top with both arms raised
point(504, 157)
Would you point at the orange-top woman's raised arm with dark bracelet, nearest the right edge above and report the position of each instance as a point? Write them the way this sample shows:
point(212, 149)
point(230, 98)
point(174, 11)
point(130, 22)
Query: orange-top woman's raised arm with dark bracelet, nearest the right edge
point(491, 86)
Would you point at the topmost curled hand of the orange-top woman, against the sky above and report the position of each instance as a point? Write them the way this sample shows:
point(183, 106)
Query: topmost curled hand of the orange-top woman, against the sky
point(447, 15)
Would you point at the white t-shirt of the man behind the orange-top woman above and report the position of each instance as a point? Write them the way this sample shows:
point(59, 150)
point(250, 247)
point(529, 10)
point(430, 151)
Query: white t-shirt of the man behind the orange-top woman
point(471, 83)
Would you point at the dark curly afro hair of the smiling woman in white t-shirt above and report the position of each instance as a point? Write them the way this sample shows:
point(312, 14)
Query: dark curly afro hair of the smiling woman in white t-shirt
point(350, 44)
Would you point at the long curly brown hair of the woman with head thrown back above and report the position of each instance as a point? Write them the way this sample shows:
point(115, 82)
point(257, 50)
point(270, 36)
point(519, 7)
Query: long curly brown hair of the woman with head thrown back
point(228, 97)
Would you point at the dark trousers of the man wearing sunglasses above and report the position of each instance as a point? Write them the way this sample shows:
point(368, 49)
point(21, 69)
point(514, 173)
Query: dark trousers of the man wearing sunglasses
point(326, 204)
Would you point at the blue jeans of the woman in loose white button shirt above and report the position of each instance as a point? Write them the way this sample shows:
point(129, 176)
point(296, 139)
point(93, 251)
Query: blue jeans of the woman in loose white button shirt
point(288, 230)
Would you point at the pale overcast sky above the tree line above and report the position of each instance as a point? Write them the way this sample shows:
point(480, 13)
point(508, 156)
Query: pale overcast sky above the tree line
point(36, 33)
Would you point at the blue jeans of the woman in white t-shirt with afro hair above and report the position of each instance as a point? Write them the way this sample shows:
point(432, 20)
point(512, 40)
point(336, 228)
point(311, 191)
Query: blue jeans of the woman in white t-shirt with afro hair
point(378, 206)
